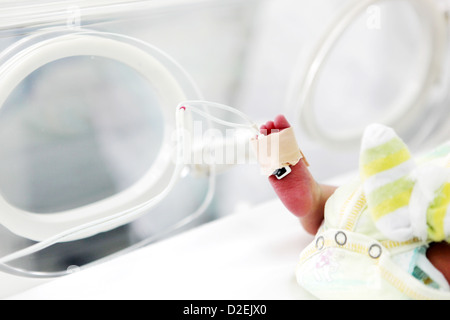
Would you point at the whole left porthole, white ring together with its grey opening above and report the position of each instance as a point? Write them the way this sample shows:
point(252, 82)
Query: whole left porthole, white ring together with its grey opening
point(80, 107)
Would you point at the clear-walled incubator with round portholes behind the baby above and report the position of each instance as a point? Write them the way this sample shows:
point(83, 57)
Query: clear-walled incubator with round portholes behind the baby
point(100, 97)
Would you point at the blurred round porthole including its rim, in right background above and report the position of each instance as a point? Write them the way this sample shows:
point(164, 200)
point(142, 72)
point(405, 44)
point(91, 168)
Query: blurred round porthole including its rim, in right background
point(377, 63)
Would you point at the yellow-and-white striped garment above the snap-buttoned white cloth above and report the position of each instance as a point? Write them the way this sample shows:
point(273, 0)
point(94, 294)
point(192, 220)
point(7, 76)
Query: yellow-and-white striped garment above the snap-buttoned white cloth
point(406, 200)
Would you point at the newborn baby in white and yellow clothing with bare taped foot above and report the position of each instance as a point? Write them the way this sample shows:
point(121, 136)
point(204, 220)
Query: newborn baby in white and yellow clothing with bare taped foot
point(319, 208)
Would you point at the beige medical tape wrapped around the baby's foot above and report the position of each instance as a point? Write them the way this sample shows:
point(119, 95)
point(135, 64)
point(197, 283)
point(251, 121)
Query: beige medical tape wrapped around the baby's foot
point(277, 150)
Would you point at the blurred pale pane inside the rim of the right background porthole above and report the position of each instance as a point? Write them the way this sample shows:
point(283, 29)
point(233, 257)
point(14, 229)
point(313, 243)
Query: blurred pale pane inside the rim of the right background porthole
point(358, 87)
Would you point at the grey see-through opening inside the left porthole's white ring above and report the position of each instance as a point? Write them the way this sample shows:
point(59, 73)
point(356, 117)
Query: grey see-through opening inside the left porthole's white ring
point(76, 131)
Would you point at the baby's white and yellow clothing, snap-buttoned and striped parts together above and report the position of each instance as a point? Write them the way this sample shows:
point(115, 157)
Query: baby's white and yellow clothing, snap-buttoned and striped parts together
point(377, 228)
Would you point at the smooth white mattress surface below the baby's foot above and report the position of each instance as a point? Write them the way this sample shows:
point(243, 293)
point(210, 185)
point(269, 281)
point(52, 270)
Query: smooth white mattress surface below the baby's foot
point(249, 255)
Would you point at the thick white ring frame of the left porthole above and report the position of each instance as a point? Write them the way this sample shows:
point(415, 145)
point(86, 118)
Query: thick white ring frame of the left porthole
point(164, 78)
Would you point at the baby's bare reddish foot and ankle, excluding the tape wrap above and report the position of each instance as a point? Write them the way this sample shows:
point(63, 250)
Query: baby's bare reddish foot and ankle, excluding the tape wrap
point(299, 192)
